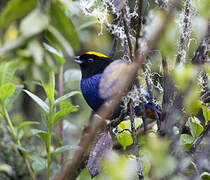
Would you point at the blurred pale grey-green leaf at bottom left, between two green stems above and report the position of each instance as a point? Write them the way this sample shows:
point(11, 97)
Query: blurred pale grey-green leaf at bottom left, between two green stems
point(38, 163)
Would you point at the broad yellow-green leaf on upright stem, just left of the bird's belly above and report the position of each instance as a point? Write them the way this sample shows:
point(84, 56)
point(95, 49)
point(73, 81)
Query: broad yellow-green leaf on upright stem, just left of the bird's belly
point(65, 108)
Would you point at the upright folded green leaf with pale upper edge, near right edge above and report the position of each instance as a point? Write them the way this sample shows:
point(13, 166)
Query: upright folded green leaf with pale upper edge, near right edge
point(195, 127)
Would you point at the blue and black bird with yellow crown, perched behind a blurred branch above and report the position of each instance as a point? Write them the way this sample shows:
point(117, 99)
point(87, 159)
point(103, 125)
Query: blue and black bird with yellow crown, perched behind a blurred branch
point(93, 66)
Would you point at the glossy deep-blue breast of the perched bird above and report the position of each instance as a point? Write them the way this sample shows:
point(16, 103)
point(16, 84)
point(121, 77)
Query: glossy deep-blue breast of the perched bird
point(90, 91)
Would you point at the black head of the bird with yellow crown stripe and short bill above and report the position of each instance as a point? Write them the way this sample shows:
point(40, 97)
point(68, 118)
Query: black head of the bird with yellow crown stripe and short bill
point(92, 63)
